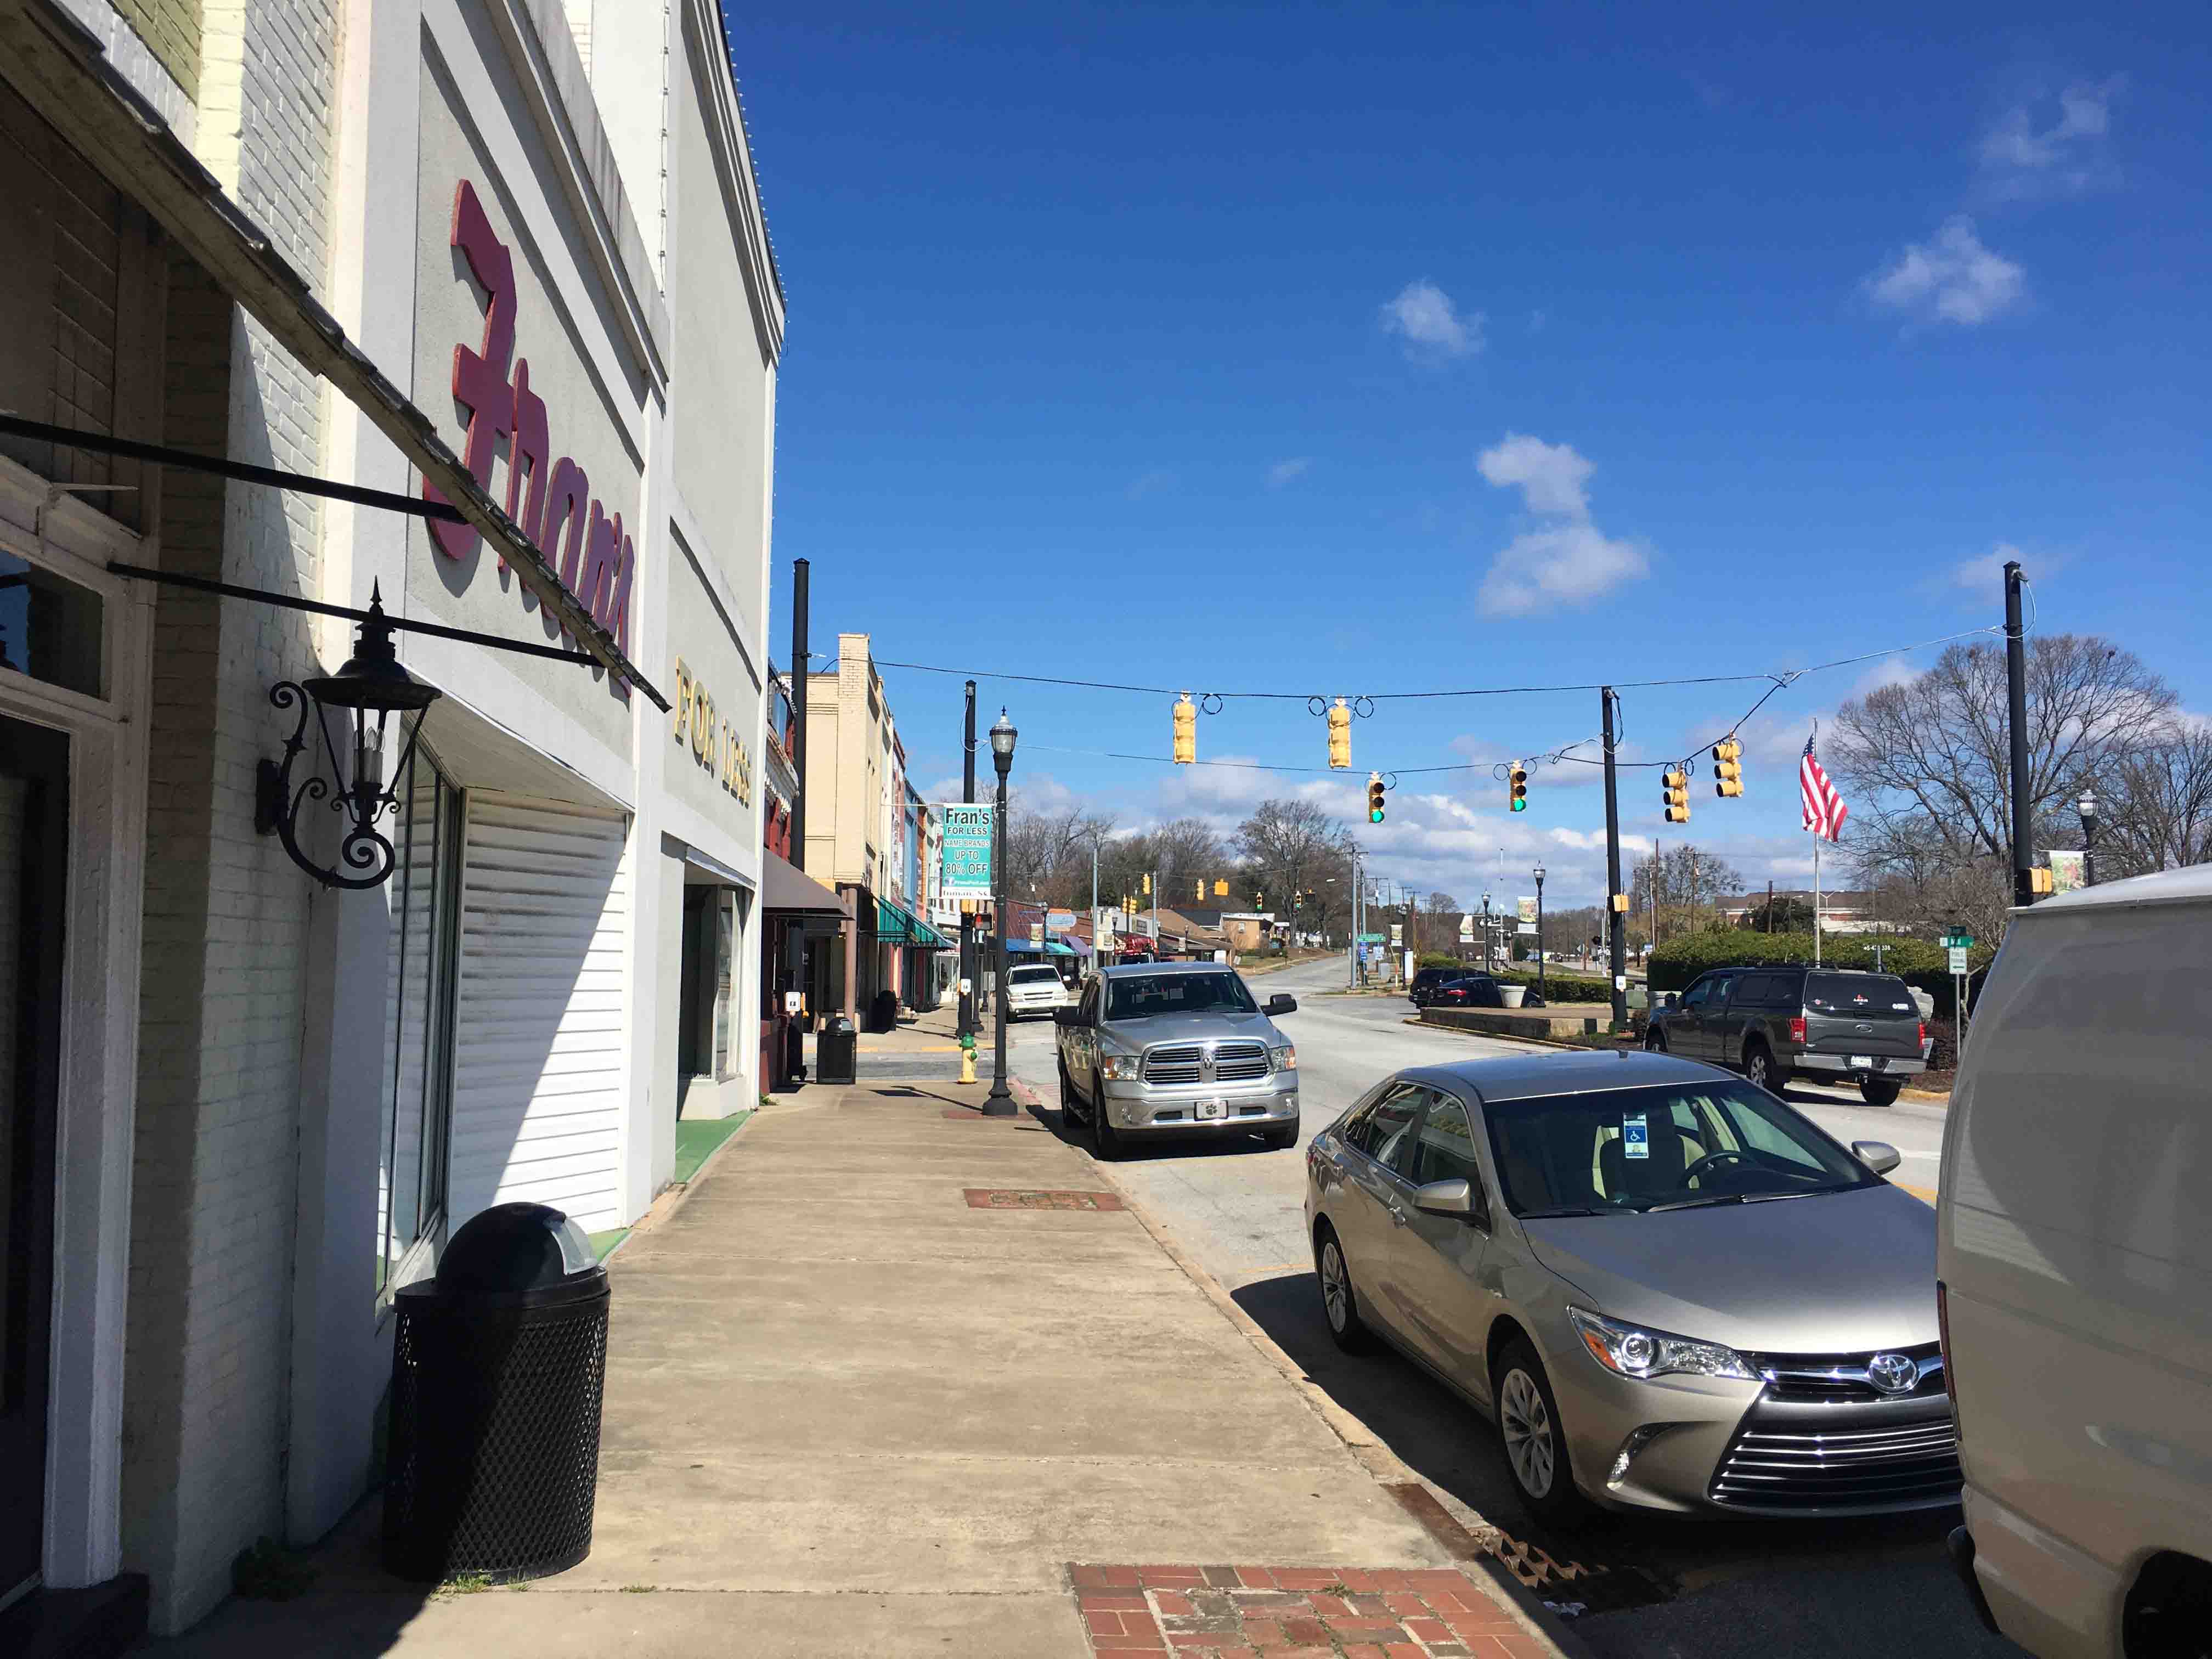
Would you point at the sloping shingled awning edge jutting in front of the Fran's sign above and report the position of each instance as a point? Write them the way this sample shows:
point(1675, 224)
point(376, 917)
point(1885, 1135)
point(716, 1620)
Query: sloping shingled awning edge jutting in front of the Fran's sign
point(61, 67)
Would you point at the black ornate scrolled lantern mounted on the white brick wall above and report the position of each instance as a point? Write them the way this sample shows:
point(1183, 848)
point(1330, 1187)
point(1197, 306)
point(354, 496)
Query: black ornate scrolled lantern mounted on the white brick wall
point(366, 693)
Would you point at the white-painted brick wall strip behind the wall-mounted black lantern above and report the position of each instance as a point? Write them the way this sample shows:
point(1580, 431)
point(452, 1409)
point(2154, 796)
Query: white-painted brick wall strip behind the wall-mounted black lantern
point(227, 912)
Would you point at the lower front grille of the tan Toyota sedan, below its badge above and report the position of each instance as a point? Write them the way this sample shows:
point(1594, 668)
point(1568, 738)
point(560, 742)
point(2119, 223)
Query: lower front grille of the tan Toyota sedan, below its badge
point(1910, 1463)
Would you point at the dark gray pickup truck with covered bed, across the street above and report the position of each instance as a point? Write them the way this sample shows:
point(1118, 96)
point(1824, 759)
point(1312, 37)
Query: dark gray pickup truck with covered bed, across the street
point(1826, 1025)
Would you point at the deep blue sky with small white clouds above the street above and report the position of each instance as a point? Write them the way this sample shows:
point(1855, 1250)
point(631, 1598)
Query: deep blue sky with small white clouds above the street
point(1357, 351)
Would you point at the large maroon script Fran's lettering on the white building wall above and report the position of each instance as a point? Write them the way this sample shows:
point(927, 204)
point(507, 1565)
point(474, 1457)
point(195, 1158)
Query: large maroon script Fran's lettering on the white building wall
point(547, 499)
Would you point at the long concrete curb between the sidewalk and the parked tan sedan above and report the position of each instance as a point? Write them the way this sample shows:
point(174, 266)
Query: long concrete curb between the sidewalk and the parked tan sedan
point(1477, 1547)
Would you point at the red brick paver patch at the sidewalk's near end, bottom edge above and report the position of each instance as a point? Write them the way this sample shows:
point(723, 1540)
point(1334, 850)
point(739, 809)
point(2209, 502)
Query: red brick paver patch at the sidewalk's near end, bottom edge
point(1297, 1614)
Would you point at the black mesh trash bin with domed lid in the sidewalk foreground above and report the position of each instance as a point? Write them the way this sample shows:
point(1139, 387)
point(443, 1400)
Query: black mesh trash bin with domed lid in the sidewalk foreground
point(499, 1368)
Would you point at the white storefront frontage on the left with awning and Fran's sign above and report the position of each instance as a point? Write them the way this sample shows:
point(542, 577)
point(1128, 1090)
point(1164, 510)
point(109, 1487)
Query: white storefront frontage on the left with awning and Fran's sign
point(488, 253)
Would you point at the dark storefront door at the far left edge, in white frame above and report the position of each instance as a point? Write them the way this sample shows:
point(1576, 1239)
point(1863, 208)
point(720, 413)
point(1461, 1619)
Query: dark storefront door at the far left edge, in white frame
point(34, 842)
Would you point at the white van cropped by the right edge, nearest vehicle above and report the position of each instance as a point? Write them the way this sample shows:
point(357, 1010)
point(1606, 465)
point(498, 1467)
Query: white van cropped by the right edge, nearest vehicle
point(2076, 1273)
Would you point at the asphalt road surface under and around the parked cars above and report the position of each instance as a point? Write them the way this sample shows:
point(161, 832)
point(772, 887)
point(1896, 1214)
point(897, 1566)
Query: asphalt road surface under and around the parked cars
point(1709, 1587)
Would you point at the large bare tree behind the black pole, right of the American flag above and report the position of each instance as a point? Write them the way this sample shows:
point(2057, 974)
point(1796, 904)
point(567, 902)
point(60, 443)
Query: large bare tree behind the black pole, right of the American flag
point(1926, 766)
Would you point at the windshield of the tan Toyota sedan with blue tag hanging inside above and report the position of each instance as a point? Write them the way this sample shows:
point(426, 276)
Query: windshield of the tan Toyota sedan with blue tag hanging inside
point(1656, 1149)
